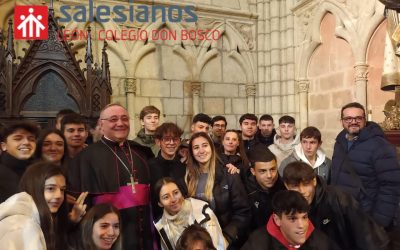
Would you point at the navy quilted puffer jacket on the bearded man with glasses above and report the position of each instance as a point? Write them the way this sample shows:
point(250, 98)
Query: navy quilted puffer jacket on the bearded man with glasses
point(375, 166)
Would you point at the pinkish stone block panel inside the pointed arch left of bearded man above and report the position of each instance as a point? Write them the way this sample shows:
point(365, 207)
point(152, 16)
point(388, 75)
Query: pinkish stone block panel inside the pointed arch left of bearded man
point(331, 72)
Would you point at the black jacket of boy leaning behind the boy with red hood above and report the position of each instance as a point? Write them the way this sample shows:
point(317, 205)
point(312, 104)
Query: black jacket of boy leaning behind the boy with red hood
point(338, 215)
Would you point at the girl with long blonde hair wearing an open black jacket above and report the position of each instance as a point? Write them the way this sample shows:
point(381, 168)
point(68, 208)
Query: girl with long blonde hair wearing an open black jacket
point(207, 179)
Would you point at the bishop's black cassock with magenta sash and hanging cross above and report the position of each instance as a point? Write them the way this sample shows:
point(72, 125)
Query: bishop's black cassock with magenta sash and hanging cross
point(105, 169)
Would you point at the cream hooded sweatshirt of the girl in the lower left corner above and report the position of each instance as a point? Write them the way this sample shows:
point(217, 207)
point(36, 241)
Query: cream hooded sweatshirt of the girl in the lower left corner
point(20, 224)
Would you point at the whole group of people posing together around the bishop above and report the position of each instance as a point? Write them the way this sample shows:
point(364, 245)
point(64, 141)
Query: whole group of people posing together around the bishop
point(259, 187)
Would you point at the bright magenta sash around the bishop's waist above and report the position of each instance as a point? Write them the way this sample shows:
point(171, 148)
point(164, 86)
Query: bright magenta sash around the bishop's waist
point(125, 198)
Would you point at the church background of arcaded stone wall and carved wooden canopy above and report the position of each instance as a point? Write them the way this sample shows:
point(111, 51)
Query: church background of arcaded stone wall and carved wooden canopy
point(305, 58)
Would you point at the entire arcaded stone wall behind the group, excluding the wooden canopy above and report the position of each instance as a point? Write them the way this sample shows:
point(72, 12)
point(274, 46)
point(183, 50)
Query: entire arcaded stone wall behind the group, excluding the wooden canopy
point(304, 58)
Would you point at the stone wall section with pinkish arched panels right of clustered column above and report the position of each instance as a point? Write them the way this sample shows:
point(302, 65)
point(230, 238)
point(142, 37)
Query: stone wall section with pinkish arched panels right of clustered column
point(339, 59)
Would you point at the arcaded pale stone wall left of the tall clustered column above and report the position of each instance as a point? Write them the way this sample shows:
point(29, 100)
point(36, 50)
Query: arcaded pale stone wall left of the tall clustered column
point(180, 77)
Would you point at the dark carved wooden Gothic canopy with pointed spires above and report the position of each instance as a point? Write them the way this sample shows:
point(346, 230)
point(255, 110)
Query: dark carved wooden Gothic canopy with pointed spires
point(49, 76)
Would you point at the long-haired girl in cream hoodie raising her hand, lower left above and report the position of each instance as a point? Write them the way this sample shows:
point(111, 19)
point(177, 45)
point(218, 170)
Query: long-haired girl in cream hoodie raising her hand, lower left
point(37, 218)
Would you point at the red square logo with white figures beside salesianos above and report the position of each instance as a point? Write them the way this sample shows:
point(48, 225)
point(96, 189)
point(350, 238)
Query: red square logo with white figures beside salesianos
point(31, 22)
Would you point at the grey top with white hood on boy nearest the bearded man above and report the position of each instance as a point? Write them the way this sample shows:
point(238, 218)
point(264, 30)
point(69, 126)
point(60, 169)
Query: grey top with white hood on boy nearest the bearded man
point(322, 166)
